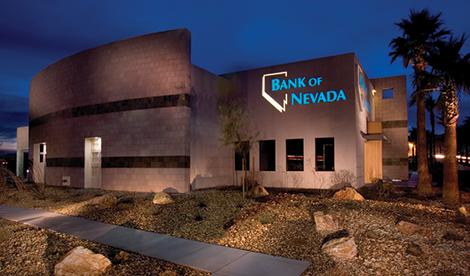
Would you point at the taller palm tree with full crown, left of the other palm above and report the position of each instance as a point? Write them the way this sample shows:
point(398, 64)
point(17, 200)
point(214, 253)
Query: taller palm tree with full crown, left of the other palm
point(419, 35)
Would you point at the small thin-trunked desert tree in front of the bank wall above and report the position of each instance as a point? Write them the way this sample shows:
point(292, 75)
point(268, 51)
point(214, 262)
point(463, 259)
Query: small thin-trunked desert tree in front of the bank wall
point(236, 130)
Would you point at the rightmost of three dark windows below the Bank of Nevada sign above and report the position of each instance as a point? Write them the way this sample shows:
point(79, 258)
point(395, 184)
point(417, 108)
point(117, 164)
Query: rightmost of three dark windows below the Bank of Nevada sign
point(325, 154)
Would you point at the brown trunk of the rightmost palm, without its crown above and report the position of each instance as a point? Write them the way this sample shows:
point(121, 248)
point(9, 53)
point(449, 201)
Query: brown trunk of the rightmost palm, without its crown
point(450, 190)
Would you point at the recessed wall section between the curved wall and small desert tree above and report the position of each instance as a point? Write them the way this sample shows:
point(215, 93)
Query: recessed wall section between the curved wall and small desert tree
point(211, 161)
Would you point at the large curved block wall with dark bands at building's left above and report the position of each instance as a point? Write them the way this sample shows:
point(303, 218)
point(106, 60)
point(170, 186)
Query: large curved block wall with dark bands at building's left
point(87, 95)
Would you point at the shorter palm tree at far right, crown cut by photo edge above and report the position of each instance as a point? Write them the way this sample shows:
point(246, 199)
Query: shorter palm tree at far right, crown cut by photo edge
point(453, 71)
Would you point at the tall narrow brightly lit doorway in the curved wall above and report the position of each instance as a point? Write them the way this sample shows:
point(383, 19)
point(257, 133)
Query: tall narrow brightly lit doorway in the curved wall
point(92, 162)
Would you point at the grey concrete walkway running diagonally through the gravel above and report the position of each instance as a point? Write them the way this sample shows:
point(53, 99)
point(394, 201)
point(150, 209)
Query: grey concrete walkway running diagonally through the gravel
point(218, 260)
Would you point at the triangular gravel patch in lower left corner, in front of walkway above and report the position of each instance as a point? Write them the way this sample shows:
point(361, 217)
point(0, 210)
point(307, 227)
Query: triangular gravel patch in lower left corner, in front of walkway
point(26, 250)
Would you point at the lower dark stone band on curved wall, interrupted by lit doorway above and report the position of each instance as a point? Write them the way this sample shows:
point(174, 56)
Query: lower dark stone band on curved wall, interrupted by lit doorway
point(179, 161)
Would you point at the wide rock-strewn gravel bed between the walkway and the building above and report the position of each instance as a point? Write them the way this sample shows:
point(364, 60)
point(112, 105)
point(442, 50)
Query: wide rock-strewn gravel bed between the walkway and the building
point(282, 225)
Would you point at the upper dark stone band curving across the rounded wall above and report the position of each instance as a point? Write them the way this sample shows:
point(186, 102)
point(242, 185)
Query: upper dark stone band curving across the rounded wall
point(116, 106)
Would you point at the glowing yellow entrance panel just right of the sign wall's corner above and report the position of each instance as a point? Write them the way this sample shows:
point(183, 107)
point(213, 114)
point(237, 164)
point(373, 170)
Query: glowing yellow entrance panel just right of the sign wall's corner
point(372, 161)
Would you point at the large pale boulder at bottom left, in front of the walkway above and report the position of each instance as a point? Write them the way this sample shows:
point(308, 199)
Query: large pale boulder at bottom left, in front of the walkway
point(82, 261)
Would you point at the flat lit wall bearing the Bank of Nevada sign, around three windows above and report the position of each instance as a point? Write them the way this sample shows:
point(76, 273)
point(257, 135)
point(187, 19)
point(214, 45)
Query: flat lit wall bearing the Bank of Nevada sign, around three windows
point(335, 119)
